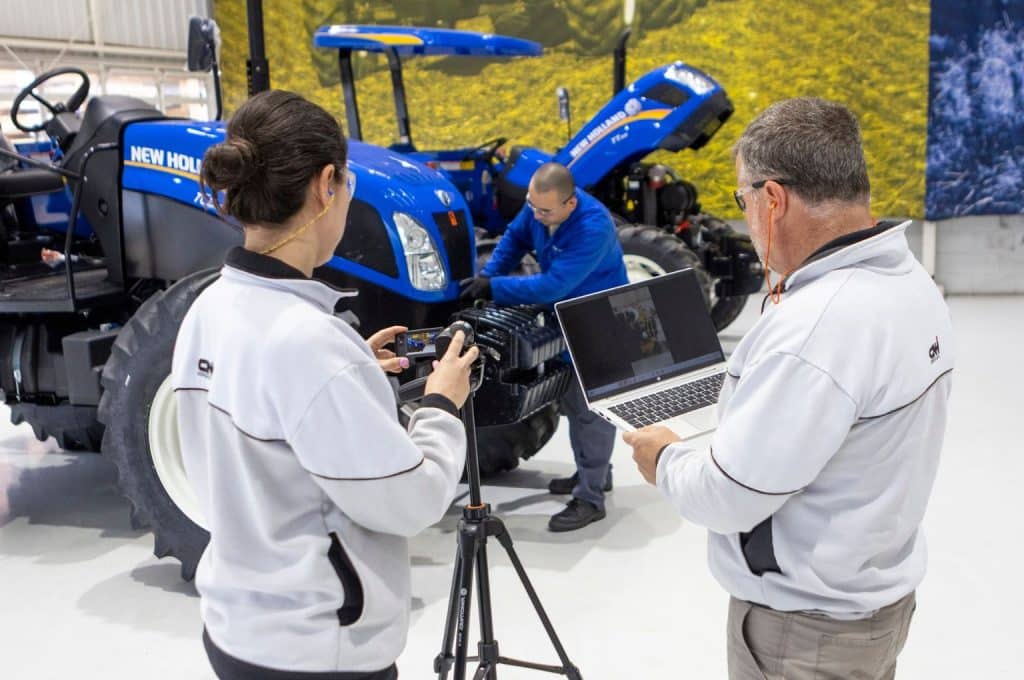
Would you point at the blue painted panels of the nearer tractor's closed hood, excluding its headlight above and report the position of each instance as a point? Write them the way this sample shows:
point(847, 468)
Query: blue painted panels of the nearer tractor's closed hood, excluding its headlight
point(163, 158)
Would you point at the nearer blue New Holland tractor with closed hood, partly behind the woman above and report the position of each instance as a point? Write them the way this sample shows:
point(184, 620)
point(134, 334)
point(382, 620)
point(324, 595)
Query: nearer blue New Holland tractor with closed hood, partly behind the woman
point(108, 240)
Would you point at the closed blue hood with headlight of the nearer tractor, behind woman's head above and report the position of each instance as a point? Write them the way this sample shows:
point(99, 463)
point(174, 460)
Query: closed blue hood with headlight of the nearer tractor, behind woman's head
point(393, 195)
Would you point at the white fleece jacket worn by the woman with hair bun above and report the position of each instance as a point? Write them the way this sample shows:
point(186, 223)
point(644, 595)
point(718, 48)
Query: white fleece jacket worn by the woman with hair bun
point(309, 485)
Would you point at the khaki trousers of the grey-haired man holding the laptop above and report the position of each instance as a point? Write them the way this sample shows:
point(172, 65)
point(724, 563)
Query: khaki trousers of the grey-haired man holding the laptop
point(765, 645)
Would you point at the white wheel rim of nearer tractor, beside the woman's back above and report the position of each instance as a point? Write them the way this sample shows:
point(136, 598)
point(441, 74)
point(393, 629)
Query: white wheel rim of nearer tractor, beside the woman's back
point(166, 452)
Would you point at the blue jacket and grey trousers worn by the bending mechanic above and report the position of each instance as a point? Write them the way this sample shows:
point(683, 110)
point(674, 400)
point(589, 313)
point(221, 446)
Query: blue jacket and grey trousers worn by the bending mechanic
point(582, 257)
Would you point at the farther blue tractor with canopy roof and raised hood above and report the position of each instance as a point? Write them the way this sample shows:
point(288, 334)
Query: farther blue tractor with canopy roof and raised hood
point(672, 108)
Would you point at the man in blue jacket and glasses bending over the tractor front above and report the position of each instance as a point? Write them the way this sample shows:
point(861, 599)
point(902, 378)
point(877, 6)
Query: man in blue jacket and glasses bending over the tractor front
point(574, 239)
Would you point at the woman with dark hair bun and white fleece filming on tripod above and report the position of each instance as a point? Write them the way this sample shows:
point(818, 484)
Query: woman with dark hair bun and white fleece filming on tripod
point(309, 485)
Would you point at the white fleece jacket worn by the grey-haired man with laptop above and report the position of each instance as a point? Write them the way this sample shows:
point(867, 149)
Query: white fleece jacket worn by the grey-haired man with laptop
point(832, 420)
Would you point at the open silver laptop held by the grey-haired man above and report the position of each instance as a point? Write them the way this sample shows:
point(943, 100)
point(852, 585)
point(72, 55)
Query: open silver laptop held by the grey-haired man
point(648, 354)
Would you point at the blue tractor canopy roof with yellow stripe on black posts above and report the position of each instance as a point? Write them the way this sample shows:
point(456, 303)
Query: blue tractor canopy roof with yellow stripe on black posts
point(413, 41)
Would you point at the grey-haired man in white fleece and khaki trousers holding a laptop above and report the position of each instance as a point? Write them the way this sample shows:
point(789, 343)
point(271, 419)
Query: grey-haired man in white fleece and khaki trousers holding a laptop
point(832, 416)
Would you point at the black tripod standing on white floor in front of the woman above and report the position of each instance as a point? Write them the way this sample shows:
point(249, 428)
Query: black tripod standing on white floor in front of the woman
point(476, 527)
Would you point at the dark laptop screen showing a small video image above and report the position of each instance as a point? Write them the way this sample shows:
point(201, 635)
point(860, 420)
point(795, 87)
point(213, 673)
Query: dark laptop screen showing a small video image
point(634, 335)
